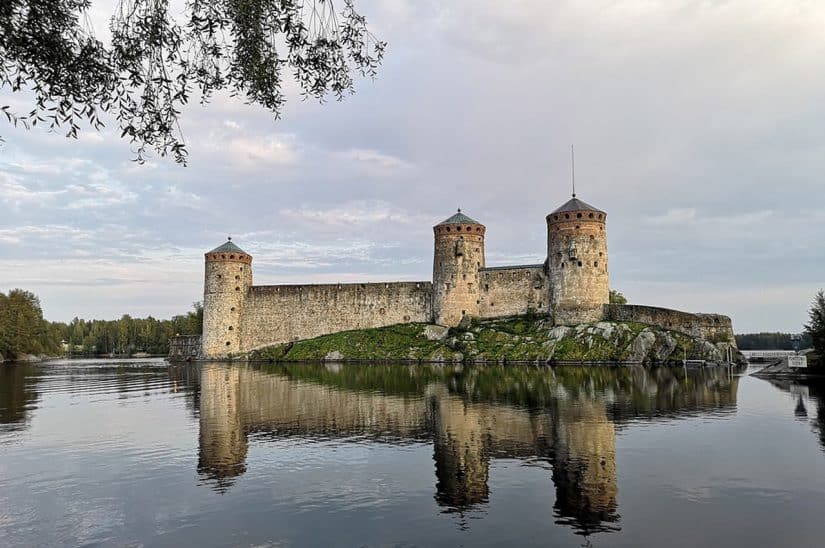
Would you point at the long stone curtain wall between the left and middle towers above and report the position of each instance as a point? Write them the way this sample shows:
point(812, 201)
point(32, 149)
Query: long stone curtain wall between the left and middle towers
point(282, 313)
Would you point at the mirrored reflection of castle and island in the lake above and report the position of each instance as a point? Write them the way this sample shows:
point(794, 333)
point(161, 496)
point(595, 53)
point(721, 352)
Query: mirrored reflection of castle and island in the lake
point(564, 417)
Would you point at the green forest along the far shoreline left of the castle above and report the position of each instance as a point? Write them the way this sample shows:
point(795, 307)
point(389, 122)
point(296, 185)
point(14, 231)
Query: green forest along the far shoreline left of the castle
point(24, 331)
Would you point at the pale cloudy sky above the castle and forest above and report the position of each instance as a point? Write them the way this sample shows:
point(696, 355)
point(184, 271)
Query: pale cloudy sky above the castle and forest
point(699, 127)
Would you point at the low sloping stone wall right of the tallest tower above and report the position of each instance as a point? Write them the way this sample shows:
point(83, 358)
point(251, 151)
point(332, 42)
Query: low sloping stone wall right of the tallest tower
point(711, 327)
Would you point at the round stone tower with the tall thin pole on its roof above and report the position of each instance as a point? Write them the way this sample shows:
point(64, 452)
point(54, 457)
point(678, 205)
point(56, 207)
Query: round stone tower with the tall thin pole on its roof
point(577, 263)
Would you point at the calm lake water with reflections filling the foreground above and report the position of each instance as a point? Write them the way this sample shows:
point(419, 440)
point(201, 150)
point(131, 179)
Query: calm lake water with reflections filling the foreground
point(135, 453)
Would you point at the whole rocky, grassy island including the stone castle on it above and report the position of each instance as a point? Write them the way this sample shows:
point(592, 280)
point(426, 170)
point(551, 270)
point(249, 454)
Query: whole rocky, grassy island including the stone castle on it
point(554, 312)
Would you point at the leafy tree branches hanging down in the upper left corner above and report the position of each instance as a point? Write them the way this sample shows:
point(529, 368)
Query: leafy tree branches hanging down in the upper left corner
point(156, 60)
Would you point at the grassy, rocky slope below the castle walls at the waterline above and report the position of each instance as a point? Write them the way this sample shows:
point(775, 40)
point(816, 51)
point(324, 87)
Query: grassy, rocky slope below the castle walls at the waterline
point(516, 339)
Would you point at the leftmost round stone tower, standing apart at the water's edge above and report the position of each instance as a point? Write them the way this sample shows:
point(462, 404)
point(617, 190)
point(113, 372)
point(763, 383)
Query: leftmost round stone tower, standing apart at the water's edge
point(227, 280)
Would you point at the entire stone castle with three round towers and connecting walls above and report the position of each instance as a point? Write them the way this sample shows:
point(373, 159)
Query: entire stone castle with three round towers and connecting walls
point(571, 287)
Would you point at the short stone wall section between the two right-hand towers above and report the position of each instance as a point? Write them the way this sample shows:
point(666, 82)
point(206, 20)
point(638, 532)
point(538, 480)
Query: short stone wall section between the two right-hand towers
point(513, 290)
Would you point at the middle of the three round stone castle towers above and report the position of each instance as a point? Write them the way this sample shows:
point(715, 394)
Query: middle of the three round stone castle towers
point(459, 254)
